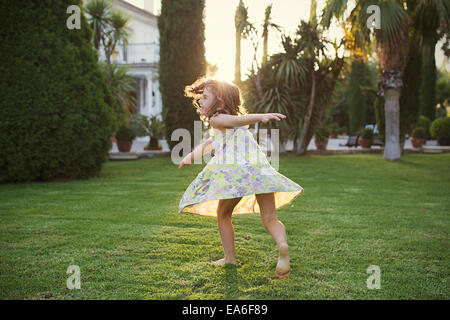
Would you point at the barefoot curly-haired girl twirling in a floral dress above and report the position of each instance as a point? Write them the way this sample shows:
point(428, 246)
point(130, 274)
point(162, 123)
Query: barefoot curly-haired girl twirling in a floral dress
point(226, 188)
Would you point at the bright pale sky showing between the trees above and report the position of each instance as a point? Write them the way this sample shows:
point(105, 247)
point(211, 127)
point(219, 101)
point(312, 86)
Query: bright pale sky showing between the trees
point(220, 30)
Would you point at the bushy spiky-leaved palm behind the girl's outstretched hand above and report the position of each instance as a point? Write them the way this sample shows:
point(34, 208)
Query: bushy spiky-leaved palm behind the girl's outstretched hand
point(287, 88)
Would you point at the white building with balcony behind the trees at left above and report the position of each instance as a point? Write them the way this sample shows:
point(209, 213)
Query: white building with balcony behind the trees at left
point(142, 55)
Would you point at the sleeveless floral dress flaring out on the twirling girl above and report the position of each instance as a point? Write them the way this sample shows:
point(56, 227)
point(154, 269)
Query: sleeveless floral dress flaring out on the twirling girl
point(239, 168)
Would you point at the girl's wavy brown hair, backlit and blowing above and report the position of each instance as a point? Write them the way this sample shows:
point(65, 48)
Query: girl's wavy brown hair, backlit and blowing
point(228, 97)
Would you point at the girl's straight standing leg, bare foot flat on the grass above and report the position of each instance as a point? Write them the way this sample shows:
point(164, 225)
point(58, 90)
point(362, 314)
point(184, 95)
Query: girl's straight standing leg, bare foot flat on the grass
point(224, 211)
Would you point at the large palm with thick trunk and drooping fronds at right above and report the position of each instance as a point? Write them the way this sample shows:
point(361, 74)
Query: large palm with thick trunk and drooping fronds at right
point(392, 50)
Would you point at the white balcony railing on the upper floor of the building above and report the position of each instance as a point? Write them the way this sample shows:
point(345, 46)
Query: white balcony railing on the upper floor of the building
point(137, 53)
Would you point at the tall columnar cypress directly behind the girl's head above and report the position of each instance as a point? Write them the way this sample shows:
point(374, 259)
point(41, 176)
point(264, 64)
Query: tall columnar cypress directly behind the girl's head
point(182, 61)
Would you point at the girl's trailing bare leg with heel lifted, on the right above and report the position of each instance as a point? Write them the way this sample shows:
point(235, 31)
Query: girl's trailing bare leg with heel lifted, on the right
point(269, 218)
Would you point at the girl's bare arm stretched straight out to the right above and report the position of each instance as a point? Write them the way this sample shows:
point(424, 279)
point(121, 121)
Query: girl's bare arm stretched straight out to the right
point(229, 121)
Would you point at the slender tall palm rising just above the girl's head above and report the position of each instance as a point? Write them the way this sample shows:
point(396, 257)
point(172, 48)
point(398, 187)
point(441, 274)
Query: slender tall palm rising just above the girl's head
point(243, 28)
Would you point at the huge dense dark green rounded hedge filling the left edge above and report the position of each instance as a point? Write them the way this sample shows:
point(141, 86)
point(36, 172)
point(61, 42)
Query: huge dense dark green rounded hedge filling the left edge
point(54, 121)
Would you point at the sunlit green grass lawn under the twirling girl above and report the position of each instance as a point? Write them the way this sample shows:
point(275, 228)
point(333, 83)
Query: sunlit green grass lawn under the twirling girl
point(124, 231)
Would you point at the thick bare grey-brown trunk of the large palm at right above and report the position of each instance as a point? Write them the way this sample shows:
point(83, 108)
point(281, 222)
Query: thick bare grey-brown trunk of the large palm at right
point(392, 150)
